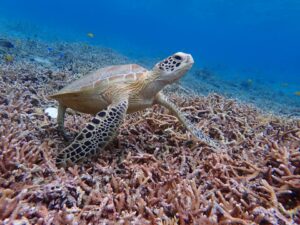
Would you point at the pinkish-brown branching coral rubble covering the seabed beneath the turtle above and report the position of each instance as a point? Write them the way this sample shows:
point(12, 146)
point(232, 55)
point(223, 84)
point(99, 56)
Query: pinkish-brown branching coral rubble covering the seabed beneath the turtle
point(153, 173)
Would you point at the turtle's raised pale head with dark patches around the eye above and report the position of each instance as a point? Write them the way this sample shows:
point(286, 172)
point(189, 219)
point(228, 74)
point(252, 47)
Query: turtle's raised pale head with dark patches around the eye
point(173, 68)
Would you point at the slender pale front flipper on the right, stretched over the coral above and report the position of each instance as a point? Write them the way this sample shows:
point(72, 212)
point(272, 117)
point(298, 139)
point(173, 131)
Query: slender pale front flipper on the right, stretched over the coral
point(196, 132)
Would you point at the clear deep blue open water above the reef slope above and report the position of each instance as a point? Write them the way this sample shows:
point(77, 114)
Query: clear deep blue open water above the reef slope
point(254, 40)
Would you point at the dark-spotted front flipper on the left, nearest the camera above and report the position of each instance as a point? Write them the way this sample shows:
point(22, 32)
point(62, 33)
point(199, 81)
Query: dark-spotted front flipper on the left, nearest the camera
point(95, 135)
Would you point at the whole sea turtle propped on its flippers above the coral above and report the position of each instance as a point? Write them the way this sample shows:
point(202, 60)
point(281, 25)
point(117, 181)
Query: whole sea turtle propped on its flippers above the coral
point(111, 92)
